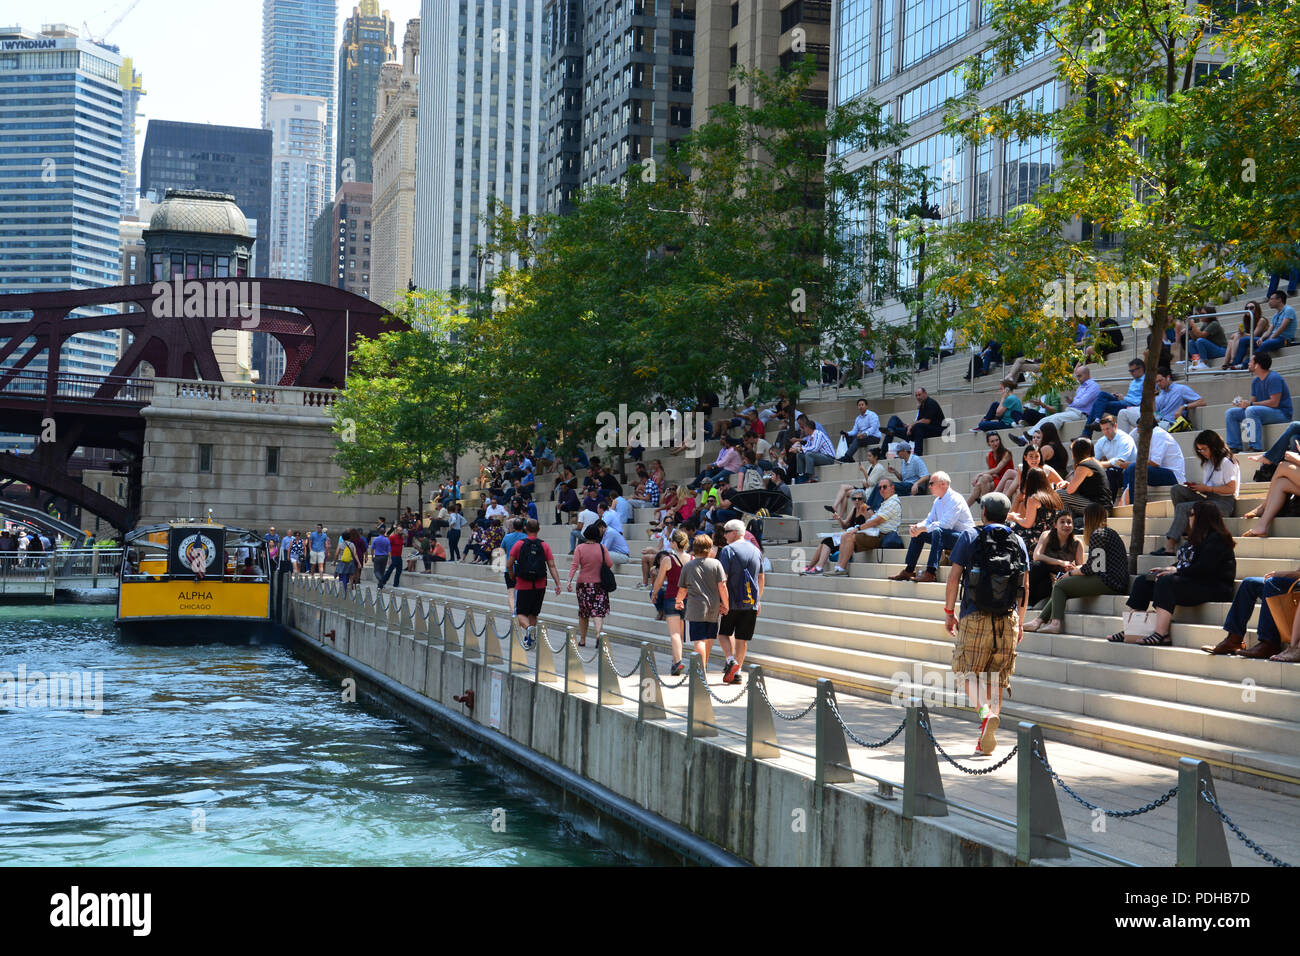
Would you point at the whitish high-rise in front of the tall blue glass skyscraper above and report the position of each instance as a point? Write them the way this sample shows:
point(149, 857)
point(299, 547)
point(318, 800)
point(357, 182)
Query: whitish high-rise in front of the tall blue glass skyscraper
point(300, 178)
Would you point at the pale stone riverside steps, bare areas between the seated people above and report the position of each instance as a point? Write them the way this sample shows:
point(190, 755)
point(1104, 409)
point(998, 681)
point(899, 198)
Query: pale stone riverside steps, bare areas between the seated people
point(882, 638)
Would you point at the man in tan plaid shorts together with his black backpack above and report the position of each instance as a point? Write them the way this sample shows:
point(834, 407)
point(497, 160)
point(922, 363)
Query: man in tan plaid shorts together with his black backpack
point(994, 570)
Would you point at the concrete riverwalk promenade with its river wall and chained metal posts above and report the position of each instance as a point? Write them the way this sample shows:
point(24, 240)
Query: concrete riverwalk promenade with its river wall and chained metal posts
point(727, 765)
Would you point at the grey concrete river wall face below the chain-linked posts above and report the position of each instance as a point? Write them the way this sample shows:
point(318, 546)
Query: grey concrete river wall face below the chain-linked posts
point(697, 801)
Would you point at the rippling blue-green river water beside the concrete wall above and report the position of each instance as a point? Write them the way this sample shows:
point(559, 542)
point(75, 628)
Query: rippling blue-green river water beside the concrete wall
point(236, 755)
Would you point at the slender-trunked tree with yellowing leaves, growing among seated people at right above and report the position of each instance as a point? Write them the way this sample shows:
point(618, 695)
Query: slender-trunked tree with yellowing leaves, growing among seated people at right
point(1136, 136)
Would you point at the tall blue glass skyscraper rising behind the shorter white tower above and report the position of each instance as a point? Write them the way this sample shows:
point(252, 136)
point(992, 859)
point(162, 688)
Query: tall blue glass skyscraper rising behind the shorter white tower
point(298, 58)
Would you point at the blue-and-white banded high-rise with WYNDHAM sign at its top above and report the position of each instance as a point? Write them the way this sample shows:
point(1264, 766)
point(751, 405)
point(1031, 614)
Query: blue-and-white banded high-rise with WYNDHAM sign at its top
point(62, 179)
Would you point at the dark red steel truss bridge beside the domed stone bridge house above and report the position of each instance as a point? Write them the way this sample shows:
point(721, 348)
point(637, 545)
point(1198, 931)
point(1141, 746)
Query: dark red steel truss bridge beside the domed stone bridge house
point(317, 325)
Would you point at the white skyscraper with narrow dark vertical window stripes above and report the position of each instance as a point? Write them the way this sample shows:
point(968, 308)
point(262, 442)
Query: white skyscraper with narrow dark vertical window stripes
point(480, 83)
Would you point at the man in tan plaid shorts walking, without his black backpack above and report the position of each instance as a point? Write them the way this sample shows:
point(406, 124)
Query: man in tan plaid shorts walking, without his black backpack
point(986, 643)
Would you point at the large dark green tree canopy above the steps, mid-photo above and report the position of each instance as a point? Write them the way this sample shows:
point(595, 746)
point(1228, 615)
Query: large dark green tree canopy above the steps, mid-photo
point(730, 257)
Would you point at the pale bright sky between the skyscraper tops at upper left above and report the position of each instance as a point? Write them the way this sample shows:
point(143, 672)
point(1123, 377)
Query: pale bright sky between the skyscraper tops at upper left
point(201, 62)
